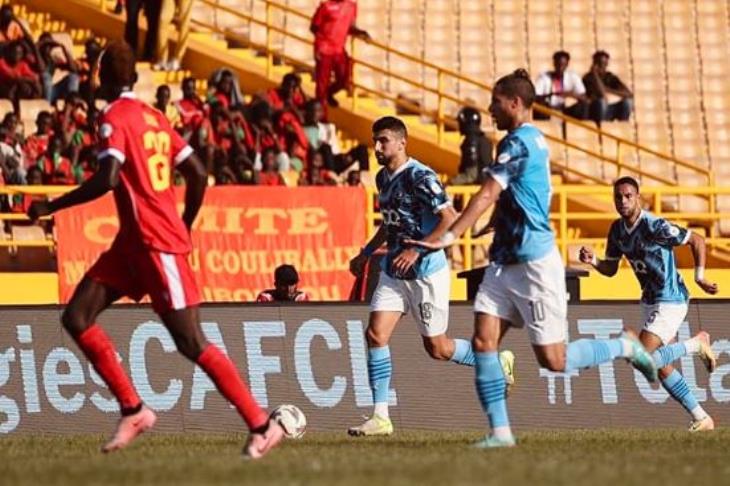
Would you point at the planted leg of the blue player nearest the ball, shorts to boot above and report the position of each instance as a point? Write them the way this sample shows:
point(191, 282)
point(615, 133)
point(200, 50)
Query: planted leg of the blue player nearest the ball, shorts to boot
point(387, 305)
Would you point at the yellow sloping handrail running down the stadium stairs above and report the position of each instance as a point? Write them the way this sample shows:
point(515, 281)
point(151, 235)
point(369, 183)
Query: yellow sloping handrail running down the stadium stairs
point(438, 114)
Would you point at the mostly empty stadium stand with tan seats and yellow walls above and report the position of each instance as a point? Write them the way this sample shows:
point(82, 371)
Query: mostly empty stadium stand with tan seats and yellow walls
point(430, 58)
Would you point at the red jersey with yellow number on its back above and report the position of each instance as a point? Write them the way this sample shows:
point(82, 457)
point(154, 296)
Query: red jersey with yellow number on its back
point(142, 139)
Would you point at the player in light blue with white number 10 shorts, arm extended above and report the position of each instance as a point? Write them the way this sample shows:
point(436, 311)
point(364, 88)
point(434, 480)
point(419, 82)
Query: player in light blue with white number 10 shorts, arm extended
point(524, 286)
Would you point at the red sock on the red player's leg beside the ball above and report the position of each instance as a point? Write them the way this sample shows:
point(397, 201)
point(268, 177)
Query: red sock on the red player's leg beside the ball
point(226, 378)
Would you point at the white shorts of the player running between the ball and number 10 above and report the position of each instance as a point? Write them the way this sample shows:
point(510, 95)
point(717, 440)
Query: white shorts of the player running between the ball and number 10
point(427, 299)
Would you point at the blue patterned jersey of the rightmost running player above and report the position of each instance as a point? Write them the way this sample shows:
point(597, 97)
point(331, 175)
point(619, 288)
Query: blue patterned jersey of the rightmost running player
point(649, 247)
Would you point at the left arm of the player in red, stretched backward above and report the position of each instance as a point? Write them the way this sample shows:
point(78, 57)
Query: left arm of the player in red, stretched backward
point(103, 180)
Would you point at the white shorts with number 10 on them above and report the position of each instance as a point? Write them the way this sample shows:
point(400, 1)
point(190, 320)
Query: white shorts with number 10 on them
point(531, 293)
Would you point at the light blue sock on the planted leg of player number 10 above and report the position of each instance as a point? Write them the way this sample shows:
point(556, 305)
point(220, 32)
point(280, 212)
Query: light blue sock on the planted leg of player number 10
point(491, 386)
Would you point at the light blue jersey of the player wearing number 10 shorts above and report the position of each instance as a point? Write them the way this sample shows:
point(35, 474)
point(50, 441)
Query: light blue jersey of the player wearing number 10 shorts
point(522, 213)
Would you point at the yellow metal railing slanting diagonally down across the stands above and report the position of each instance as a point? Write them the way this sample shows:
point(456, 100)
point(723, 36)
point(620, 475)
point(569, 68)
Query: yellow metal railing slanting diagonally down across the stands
point(265, 14)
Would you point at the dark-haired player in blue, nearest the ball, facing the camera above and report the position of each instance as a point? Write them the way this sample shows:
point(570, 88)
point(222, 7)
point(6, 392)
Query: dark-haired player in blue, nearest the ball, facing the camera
point(414, 206)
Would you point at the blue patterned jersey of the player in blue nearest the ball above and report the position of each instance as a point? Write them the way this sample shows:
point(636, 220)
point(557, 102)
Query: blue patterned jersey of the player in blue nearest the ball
point(410, 200)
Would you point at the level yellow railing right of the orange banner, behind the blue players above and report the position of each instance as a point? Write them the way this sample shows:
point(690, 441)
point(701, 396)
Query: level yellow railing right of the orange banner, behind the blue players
point(564, 220)
